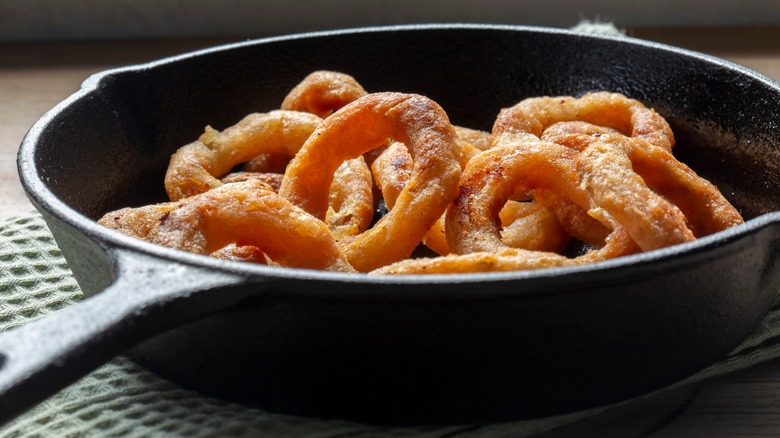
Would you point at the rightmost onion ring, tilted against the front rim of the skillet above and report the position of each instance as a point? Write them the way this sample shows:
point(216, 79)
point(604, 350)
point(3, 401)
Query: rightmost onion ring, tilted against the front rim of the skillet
point(612, 170)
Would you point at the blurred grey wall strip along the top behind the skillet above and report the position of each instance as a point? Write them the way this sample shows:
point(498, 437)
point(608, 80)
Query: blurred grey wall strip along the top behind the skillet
point(40, 20)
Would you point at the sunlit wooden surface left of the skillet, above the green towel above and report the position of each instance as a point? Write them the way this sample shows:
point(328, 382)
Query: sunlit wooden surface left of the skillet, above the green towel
point(34, 77)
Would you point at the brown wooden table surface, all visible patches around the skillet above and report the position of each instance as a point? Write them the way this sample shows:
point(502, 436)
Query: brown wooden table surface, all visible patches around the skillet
point(36, 76)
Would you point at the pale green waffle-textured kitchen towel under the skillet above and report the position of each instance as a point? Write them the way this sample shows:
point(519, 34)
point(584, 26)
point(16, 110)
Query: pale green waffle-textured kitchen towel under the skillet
point(124, 399)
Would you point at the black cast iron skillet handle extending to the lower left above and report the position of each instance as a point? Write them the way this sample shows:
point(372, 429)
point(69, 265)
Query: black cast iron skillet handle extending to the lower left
point(147, 297)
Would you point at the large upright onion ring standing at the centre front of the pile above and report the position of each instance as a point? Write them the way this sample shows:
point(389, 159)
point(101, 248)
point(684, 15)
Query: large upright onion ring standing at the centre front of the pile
point(361, 126)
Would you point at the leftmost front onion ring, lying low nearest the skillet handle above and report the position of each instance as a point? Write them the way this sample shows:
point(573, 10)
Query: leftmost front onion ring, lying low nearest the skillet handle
point(245, 213)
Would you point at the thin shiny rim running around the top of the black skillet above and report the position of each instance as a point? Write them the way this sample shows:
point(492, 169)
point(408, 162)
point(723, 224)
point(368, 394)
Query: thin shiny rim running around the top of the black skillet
point(643, 264)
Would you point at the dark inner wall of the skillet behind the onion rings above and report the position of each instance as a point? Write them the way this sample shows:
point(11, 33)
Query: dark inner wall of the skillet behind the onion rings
point(147, 113)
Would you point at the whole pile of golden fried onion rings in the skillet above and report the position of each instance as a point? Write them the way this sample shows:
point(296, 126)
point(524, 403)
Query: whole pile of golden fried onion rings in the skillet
point(301, 186)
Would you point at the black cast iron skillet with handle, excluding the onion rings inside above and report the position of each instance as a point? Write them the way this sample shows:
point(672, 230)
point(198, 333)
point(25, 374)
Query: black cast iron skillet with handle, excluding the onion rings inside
point(414, 349)
